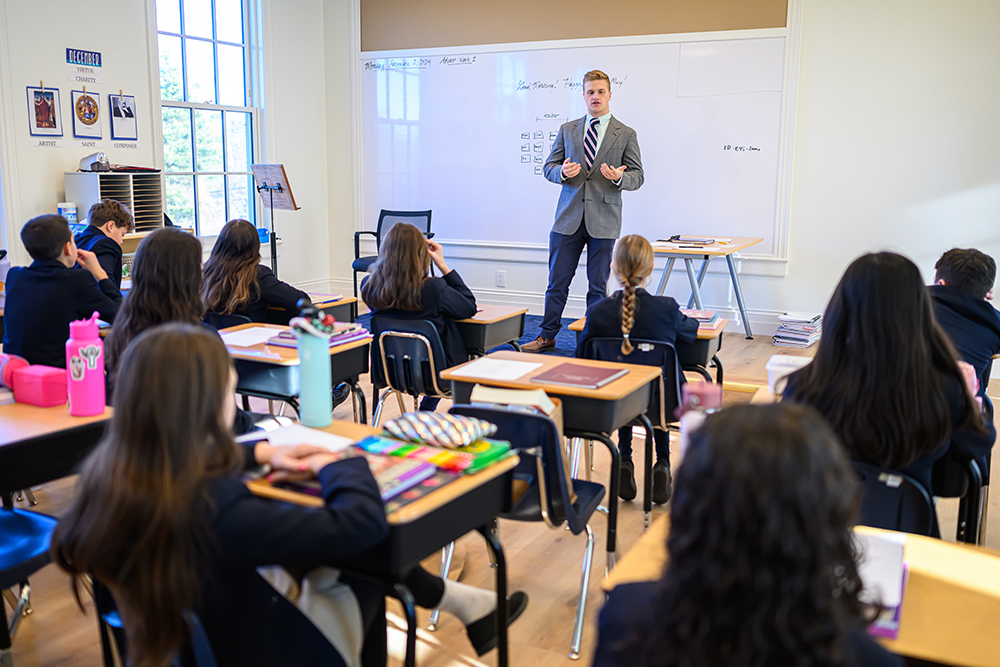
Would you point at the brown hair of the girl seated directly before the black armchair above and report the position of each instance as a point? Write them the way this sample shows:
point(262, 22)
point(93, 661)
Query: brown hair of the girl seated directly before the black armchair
point(400, 271)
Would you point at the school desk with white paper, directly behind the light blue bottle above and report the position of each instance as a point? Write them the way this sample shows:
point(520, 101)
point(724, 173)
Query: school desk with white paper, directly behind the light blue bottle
point(272, 371)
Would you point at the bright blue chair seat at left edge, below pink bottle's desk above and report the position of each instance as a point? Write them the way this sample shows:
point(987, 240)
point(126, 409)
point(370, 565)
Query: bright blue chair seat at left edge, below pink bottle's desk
point(24, 549)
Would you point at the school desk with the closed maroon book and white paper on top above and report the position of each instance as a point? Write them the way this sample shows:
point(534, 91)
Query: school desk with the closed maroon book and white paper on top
point(591, 414)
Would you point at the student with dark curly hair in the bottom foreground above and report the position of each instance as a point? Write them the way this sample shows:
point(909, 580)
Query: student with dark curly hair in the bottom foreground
point(762, 568)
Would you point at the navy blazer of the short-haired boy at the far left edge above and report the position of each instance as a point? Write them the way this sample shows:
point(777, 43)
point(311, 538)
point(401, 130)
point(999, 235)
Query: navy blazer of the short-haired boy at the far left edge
point(42, 299)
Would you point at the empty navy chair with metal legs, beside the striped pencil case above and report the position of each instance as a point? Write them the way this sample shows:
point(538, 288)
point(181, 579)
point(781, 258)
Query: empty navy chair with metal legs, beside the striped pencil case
point(548, 499)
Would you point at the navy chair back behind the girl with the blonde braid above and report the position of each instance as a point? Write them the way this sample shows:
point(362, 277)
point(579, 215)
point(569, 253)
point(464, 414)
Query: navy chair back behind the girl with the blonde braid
point(667, 398)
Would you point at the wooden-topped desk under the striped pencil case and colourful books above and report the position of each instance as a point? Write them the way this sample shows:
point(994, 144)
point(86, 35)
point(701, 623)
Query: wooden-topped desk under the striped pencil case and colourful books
point(423, 527)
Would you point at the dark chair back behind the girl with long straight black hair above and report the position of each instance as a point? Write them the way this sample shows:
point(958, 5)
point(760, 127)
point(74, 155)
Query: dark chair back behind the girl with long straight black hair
point(894, 501)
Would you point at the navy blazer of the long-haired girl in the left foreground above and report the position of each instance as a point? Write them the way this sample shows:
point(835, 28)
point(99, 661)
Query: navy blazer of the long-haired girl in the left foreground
point(246, 620)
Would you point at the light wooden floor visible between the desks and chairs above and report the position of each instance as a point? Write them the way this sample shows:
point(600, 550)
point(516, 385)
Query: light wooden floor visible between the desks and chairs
point(545, 563)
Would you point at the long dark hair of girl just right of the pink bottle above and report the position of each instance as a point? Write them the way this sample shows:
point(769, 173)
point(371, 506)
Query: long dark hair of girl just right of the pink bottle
point(166, 287)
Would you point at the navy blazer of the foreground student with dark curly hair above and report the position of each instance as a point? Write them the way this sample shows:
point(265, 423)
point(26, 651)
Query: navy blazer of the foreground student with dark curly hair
point(630, 604)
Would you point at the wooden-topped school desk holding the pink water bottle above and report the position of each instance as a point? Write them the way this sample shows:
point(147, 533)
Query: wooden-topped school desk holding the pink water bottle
point(38, 445)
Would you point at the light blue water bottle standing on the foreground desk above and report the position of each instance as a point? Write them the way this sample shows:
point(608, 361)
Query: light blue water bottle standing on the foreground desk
point(315, 384)
